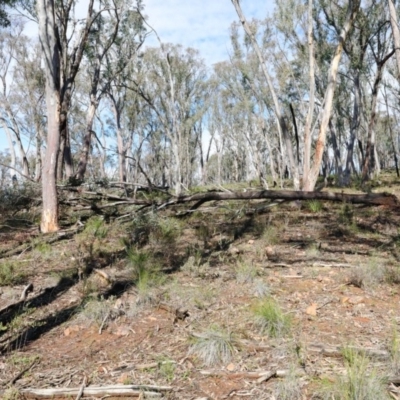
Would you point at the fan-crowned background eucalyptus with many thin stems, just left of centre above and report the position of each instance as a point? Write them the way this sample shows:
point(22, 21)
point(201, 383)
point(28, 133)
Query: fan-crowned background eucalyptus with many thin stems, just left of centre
point(175, 87)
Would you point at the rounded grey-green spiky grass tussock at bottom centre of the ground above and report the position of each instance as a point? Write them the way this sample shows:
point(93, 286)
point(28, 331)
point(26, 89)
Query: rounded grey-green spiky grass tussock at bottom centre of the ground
point(214, 346)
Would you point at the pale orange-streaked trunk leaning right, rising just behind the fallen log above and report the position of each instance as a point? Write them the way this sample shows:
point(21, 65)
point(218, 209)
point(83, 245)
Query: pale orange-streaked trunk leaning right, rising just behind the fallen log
point(311, 179)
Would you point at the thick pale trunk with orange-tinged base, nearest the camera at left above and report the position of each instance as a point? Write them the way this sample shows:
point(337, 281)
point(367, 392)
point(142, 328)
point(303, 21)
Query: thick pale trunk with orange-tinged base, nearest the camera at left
point(47, 36)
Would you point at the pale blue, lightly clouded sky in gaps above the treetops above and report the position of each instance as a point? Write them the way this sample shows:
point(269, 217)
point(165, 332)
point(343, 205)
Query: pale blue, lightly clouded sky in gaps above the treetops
point(201, 24)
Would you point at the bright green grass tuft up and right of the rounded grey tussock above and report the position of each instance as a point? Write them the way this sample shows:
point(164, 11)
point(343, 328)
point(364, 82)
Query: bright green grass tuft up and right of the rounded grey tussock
point(271, 319)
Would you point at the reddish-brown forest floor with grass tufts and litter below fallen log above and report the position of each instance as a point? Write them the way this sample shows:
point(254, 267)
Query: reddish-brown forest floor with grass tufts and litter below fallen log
point(298, 301)
